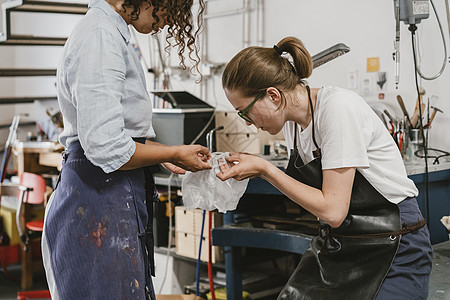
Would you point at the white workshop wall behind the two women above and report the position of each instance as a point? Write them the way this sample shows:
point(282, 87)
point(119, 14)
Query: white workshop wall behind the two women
point(367, 27)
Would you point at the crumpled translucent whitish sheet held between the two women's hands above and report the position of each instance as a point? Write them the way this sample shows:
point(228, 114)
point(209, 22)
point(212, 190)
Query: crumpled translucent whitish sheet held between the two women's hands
point(204, 190)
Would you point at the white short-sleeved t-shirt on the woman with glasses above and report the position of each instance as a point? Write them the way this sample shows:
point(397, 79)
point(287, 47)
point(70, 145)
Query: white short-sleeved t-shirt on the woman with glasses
point(350, 134)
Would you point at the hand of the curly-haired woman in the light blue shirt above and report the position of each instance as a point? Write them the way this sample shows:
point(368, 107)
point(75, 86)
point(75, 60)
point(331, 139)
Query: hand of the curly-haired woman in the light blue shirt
point(192, 157)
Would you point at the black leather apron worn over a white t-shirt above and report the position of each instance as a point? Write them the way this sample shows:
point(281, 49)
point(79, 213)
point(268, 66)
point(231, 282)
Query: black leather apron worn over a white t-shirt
point(351, 261)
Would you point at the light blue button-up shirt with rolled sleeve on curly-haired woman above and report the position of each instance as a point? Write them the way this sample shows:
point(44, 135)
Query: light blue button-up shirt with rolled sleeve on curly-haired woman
point(102, 92)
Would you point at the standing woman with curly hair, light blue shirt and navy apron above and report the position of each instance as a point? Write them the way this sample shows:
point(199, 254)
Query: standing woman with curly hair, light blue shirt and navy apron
point(97, 241)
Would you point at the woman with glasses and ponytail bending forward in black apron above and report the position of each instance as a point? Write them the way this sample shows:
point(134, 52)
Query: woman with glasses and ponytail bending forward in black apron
point(344, 168)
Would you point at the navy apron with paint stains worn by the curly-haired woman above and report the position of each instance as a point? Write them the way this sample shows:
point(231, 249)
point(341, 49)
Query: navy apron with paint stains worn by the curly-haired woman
point(98, 235)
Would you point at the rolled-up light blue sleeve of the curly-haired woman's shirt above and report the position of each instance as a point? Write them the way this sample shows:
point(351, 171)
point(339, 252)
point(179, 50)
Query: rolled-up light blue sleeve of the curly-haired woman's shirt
point(97, 76)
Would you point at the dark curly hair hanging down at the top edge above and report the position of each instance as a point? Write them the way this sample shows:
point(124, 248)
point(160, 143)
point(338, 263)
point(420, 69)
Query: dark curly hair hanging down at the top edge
point(181, 25)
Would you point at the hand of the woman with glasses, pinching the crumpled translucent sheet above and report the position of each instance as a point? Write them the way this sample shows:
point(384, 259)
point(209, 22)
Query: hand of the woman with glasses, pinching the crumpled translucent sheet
point(241, 166)
